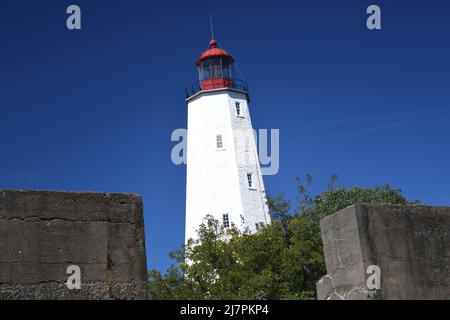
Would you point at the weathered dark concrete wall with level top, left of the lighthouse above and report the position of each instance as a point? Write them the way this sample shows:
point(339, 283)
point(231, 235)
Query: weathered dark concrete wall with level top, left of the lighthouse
point(44, 232)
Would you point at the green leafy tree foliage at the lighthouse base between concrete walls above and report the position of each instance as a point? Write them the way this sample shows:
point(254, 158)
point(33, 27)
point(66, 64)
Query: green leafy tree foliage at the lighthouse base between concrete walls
point(282, 260)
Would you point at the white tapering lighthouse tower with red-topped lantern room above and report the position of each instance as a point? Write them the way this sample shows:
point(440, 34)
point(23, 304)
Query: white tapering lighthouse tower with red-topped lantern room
point(224, 177)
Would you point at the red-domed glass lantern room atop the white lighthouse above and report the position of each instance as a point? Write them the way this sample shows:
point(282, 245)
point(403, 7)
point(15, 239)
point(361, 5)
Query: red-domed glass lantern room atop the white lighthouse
point(215, 68)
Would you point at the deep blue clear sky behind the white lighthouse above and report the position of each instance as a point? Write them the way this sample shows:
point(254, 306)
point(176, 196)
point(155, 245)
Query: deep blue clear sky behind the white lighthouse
point(93, 110)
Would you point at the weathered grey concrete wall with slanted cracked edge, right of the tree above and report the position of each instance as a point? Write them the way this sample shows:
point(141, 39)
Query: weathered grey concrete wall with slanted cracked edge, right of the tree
point(410, 244)
